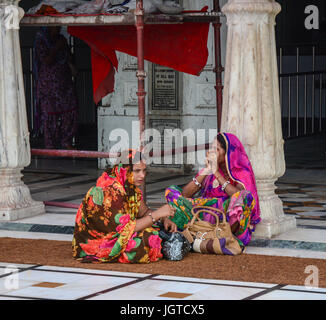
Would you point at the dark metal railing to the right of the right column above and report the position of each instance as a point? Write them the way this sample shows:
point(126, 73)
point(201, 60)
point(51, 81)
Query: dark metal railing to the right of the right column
point(302, 89)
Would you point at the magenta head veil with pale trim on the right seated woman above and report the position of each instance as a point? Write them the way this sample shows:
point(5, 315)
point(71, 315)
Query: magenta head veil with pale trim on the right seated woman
point(239, 169)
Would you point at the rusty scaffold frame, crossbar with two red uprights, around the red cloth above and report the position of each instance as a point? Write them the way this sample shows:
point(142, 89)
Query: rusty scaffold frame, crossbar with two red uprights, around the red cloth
point(139, 18)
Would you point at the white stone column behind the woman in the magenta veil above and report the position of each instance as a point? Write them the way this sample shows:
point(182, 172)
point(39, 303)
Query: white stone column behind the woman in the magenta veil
point(251, 106)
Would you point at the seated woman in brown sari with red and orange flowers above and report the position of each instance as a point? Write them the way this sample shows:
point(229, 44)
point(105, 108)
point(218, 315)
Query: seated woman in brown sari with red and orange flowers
point(113, 224)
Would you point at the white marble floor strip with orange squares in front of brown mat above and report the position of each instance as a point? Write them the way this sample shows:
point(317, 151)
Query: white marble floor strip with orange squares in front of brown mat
point(36, 282)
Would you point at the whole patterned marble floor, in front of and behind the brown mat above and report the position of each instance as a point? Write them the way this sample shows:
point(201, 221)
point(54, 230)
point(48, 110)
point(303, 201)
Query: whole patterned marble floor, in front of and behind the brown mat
point(65, 182)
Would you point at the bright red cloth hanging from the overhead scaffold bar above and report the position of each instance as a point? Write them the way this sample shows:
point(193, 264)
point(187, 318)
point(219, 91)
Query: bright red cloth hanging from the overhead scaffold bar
point(182, 47)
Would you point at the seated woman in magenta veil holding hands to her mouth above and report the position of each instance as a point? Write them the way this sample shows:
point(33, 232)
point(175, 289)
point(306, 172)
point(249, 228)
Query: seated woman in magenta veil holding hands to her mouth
point(226, 183)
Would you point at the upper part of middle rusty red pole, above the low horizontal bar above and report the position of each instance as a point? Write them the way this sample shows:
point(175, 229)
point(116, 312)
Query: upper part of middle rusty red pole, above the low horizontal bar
point(141, 74)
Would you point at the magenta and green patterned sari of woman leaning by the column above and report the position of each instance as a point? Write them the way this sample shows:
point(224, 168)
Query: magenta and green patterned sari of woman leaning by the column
point(241, 207)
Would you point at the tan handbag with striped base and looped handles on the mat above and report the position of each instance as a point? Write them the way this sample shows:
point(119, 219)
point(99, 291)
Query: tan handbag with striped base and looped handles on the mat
point(208, 238)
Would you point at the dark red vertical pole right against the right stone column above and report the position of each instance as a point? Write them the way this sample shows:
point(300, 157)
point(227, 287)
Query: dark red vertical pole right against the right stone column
point(218, 64)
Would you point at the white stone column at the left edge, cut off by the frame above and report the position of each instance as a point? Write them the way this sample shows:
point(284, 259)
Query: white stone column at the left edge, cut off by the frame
point(15, 198)
